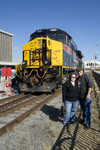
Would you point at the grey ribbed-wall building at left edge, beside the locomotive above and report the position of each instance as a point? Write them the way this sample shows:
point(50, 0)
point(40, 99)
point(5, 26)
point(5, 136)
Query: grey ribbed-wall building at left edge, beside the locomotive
point(5, 46)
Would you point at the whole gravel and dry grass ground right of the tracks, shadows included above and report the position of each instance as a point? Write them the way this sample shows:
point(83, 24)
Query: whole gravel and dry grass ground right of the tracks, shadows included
point(44, 130)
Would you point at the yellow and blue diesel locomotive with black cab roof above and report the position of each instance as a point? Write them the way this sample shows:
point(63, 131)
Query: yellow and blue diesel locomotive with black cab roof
point(47, 58)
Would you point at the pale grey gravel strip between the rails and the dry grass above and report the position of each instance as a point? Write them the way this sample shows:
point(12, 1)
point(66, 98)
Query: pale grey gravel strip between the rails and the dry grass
point(39, 131)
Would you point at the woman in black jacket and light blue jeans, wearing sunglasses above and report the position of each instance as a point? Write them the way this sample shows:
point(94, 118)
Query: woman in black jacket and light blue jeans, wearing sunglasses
point(71, 99)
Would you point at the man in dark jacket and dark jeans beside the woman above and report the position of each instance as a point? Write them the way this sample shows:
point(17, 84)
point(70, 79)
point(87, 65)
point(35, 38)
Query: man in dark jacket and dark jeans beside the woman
point(85, 97)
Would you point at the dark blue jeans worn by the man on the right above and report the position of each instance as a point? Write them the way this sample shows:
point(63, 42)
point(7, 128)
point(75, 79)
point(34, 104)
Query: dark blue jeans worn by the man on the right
point(86, 108)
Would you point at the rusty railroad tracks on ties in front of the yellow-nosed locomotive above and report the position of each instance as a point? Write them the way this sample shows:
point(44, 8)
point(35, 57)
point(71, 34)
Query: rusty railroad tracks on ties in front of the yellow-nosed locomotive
point(15, 109)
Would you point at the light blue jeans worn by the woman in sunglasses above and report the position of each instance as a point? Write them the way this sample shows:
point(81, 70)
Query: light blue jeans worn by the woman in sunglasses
point(70, 111)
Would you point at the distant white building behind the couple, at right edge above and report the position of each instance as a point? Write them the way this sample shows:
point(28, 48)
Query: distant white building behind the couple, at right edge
point(92, 64)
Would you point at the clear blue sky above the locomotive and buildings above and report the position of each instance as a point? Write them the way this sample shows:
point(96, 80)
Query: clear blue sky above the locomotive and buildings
point(79, 18)
